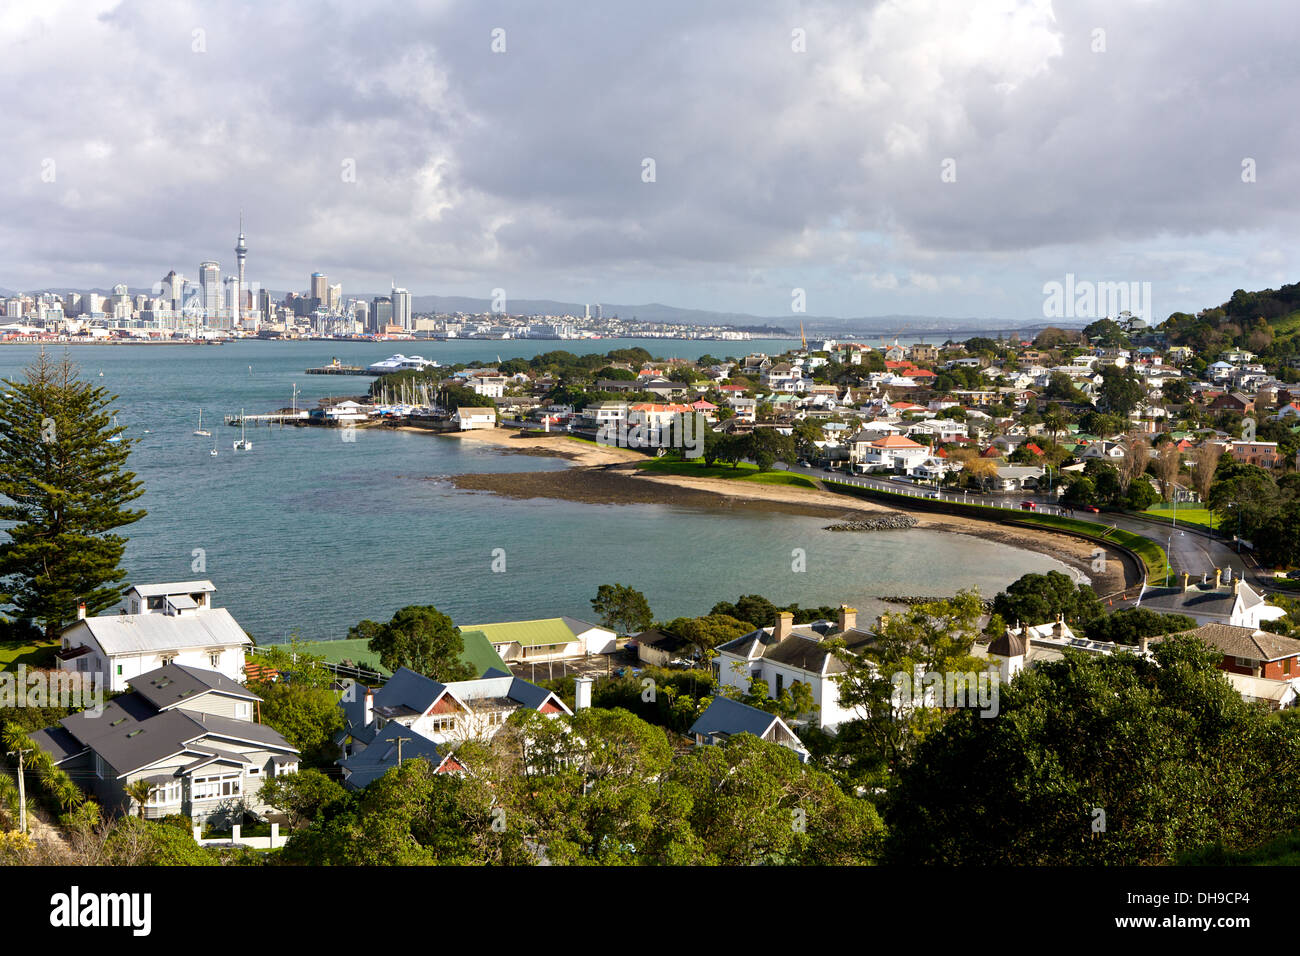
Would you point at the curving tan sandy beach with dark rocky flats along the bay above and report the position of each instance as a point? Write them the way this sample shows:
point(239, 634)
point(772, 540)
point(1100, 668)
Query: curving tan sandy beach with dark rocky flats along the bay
point(609, 477)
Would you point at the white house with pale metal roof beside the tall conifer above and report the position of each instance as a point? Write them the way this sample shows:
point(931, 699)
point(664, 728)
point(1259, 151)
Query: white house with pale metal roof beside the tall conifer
point(161, 625)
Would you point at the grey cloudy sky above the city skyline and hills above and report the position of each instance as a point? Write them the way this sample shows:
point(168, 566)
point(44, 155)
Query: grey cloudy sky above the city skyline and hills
point(915, 157)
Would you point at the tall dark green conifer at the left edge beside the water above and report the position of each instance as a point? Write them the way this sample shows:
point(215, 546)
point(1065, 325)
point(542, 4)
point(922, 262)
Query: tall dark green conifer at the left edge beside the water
point(64, 486)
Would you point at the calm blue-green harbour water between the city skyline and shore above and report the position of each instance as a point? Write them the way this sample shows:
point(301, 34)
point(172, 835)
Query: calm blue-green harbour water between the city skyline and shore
point(310, 534)
